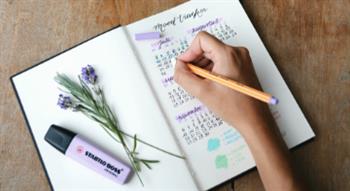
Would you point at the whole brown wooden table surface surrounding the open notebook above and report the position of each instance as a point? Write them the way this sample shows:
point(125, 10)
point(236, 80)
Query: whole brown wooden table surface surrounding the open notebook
point(308, 40)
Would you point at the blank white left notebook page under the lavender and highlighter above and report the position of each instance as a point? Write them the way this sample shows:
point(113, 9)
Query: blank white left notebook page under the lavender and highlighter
point(127, 92)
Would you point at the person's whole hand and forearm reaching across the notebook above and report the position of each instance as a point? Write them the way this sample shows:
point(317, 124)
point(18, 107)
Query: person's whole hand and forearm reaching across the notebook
point(250, 117)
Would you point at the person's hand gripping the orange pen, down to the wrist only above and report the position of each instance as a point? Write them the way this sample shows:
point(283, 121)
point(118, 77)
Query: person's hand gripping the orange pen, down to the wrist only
point(237, 109)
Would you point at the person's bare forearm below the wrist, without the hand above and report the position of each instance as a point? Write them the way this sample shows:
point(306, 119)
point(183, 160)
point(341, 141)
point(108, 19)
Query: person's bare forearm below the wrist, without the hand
point(270, 154)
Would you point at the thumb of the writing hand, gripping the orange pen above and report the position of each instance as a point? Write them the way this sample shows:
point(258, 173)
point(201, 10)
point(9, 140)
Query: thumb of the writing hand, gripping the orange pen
point(193, 84)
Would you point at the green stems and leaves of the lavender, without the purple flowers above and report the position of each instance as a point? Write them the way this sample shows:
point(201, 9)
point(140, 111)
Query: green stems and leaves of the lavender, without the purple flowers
point(95, 107)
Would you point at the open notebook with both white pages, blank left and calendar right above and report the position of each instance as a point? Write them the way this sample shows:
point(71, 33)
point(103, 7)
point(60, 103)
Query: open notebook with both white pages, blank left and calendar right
point(137, 79)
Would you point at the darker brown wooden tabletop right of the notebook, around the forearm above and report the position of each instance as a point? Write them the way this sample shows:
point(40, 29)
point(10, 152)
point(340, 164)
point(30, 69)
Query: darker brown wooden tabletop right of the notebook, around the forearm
point(310, 42)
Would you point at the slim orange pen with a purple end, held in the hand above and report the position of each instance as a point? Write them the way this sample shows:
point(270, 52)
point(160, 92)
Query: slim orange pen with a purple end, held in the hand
point(237, 86)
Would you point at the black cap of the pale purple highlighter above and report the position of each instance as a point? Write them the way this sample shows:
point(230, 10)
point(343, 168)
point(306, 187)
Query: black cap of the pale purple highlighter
point(59, 137)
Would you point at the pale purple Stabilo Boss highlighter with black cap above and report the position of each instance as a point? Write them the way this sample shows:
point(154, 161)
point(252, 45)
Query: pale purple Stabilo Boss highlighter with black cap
point(73, 146)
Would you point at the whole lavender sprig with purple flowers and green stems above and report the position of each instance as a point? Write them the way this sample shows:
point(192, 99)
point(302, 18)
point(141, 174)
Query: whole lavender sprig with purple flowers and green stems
point(87, 97)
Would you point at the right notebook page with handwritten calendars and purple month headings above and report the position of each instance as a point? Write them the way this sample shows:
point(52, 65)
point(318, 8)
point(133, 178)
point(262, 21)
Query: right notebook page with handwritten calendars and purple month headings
point(216, 152)
